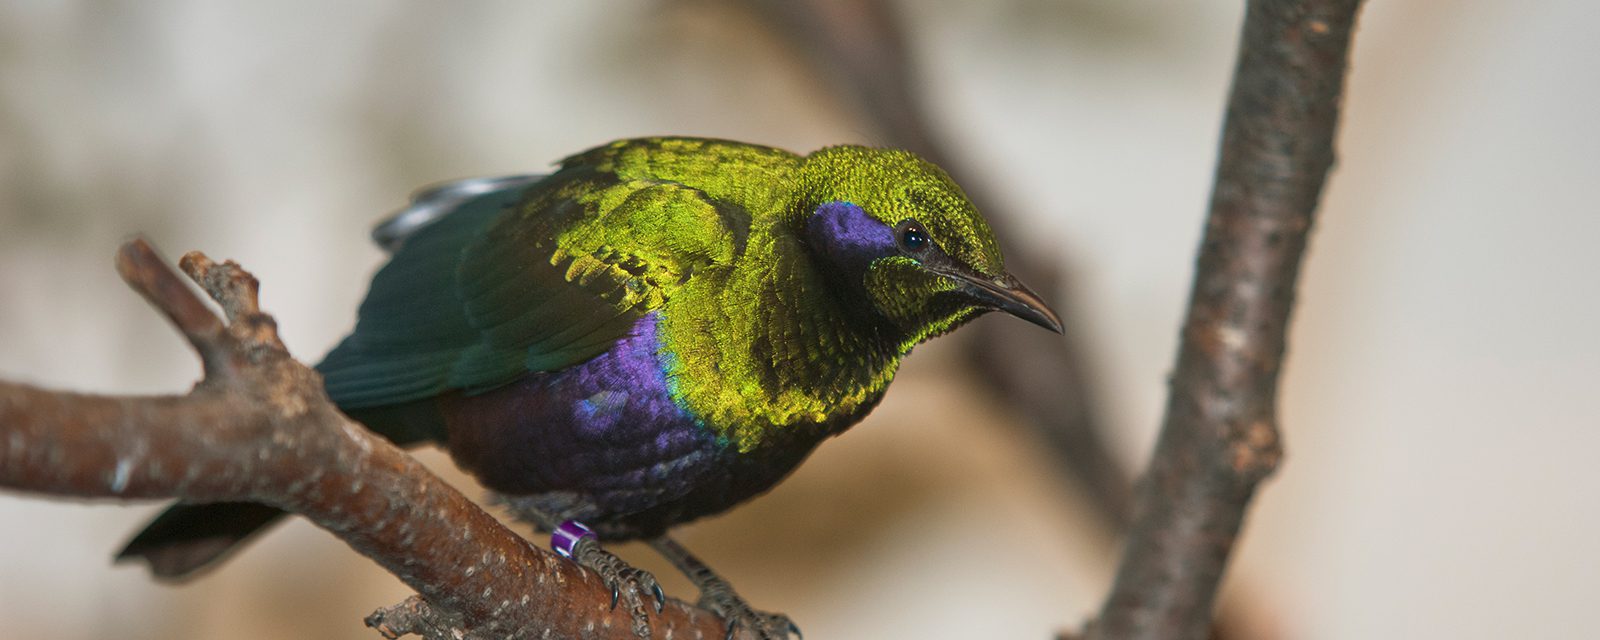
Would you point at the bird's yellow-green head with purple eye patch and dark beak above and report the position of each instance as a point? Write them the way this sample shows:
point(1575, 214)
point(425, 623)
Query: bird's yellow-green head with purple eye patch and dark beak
point(897, 228)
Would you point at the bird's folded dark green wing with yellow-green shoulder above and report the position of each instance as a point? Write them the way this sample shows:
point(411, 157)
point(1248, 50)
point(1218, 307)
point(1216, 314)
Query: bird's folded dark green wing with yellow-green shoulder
point(526, 279)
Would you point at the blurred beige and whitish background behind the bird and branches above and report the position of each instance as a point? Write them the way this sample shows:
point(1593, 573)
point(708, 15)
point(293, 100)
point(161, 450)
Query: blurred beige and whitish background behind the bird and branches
point(1441, 404)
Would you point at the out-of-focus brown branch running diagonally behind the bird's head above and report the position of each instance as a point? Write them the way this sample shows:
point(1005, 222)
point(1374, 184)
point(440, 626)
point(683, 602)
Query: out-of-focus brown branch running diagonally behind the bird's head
point(858, 47)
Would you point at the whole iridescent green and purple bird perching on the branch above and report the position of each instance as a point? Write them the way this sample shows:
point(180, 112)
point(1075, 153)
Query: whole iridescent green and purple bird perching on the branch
point(658, 332)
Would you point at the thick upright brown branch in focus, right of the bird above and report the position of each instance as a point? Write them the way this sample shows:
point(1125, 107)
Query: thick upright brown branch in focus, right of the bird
point(1220, 438)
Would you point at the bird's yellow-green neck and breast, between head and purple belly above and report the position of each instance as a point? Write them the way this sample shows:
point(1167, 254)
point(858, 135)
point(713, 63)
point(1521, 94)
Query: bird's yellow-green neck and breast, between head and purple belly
point(769, 351)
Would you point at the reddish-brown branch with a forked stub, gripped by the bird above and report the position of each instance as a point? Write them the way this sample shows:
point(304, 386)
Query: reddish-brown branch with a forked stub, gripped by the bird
point(258, 428)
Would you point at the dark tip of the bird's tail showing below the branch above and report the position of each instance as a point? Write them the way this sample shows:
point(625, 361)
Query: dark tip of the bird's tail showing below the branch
point(188, 538)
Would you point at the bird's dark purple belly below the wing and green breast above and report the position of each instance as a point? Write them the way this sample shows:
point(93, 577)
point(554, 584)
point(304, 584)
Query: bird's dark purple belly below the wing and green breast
point(604, 442)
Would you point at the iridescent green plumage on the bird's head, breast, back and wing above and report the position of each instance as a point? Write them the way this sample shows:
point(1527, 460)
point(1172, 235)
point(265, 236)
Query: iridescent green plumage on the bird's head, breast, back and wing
point(710, 234)
